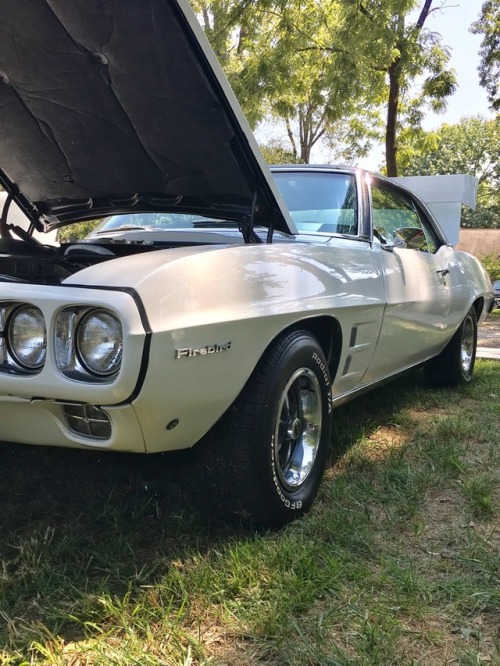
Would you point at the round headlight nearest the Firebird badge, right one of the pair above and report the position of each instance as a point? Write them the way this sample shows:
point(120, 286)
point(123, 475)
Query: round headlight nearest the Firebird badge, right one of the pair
point(100, 343)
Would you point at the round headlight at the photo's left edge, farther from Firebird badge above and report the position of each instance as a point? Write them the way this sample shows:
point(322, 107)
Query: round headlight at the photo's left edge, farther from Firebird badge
point(27, 337)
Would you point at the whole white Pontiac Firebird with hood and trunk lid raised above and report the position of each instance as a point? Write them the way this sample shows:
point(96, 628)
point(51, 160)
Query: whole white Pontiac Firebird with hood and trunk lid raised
point(217, 304)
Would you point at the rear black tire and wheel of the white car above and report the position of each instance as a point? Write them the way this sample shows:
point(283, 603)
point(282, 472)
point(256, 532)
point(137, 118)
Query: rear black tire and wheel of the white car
point(455, 364)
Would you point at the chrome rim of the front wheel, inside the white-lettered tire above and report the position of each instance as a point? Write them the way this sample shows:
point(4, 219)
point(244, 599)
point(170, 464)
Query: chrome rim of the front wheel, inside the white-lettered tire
point(297, 432)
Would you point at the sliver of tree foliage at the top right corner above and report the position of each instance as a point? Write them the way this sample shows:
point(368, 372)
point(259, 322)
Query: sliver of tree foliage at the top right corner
point(488, 25)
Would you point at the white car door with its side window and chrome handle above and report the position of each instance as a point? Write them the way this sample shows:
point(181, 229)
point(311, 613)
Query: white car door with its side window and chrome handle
point(416, 264)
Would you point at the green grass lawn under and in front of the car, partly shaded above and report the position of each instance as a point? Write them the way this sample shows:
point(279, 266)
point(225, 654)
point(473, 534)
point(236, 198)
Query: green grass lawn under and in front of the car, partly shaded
point(108, 559)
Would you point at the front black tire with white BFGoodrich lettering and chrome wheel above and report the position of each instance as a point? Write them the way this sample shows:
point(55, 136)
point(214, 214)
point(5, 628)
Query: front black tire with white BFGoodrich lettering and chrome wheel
point(264, 460)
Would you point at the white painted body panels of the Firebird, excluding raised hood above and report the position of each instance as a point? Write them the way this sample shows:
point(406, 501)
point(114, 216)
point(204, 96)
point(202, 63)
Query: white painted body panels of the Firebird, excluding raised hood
point(199, 317)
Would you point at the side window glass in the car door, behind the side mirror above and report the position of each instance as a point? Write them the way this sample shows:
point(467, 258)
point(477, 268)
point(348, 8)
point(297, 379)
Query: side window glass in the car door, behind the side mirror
point(397, 221)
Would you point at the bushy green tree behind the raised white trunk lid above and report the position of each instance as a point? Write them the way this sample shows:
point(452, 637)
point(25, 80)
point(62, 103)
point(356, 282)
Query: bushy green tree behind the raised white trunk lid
point(472, 147)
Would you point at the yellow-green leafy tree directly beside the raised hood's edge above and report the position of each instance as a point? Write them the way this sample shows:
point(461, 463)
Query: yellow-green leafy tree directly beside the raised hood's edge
point(285, 59)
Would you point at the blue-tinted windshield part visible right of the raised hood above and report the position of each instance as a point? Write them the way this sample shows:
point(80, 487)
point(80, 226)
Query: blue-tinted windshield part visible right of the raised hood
point(320, 200)
